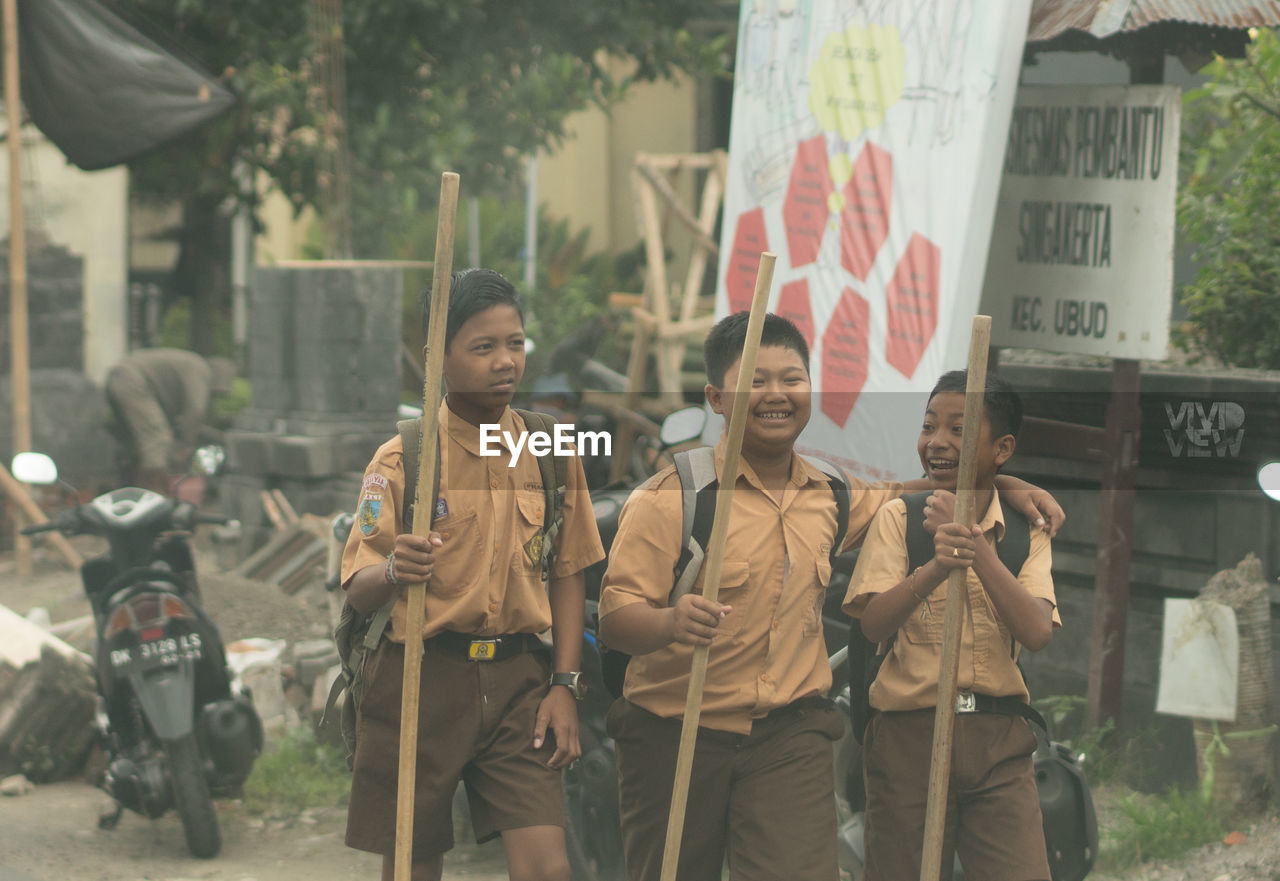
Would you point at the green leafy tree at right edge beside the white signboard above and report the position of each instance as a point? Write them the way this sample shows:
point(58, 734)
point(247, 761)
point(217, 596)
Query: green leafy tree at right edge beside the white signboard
point(1228, 208)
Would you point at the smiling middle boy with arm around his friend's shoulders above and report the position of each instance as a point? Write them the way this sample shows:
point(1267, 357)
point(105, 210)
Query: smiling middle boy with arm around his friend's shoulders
point(762, 788)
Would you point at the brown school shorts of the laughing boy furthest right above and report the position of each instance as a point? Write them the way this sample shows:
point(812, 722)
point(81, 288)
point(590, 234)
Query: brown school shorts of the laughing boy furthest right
point(994, 819)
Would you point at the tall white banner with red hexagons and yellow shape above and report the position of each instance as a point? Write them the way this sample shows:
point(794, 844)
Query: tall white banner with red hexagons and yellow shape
point(866, 152)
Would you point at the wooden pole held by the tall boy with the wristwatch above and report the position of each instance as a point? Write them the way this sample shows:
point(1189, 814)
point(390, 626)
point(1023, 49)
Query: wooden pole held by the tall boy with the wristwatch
point(424, 508)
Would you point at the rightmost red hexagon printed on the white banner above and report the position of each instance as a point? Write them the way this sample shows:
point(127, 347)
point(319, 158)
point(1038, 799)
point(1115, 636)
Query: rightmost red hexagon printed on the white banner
point(912, 305)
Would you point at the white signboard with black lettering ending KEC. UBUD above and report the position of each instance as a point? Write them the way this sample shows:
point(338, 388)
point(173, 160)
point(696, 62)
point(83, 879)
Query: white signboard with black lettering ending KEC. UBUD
point(1082, 255)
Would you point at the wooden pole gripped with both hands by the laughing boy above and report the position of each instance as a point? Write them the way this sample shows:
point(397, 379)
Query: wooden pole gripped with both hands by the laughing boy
point(944, 716)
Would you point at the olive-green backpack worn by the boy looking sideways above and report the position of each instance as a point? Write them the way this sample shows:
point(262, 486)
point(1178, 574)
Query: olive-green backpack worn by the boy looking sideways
point(359, 634)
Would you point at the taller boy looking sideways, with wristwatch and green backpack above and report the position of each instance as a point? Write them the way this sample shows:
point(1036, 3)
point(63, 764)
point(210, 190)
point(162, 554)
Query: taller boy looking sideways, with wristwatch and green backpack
point(496, 713)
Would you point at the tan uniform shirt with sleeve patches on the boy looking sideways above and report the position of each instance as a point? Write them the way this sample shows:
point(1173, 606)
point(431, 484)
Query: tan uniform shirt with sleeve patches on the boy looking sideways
point(488, 577)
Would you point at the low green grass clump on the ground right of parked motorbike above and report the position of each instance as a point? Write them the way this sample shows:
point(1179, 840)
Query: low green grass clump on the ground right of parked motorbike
point(295, 774)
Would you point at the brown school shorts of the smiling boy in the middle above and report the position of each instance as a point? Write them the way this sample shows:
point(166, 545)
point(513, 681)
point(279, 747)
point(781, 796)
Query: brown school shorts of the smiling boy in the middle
point(766, 801)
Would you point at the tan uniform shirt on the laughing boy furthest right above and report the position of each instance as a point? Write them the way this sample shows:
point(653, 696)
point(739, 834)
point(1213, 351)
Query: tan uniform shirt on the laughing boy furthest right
point(909, 675)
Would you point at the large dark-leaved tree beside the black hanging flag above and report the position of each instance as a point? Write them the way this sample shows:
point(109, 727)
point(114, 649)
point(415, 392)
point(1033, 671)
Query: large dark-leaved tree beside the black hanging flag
point(432, 85)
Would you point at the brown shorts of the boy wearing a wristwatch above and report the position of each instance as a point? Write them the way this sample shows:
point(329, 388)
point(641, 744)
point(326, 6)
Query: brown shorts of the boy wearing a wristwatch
point(476, 725)
